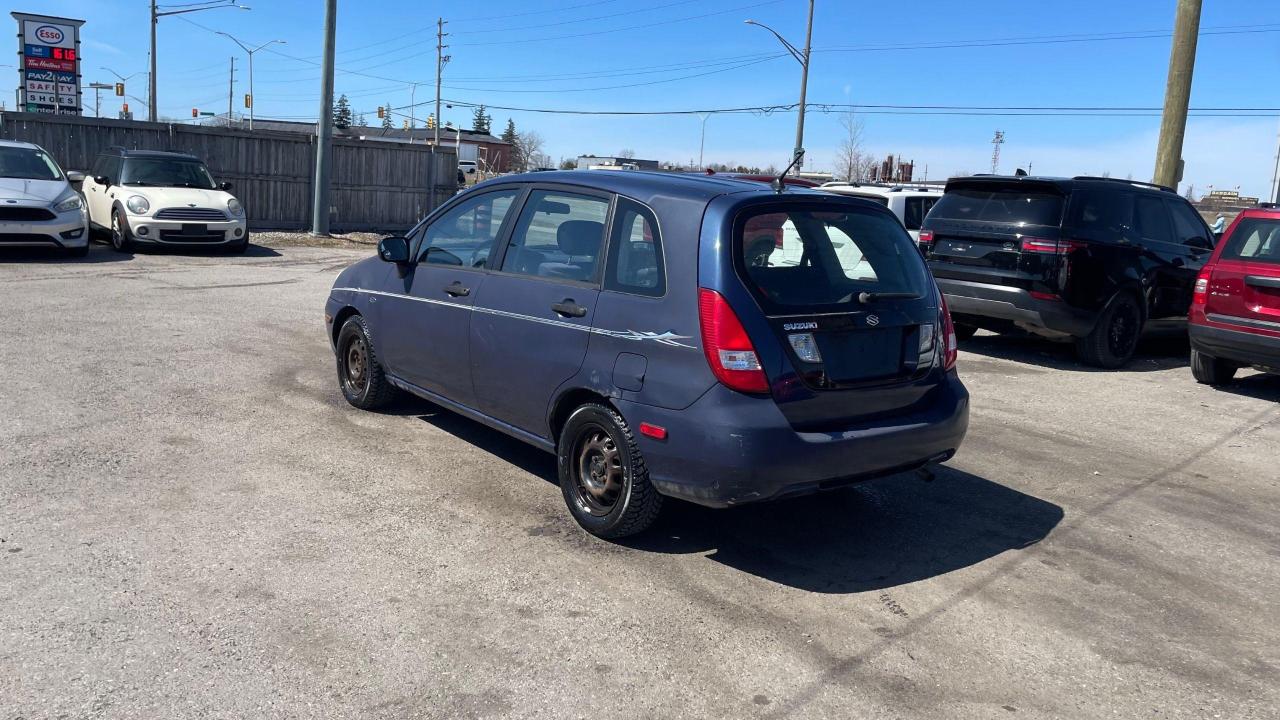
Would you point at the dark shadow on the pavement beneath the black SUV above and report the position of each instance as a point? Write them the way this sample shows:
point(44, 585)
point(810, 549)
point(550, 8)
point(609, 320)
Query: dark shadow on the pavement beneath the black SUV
point(1158, 350)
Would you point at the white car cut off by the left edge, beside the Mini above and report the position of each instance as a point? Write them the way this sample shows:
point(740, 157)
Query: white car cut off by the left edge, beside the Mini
point(39, 207)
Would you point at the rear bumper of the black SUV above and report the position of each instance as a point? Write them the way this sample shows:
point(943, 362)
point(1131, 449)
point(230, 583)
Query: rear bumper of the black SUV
point(1017, 306)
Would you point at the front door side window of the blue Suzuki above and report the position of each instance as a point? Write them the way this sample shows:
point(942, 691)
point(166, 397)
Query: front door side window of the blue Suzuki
point(465, 235)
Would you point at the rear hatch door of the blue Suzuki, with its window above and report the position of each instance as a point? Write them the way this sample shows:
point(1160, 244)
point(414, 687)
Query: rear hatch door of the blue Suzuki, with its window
point(847, 295)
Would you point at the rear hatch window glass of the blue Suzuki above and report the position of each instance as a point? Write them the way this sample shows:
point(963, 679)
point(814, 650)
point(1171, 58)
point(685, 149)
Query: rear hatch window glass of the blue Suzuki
point(810, 258)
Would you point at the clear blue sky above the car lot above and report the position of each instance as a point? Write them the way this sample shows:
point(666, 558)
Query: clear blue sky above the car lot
point(634, 56)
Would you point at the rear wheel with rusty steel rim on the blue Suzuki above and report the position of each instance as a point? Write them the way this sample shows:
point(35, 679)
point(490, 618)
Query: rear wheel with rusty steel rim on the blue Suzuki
point(615, 499)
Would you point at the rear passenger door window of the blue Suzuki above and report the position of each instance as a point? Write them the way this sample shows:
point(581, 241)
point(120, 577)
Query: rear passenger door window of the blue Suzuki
point(560, 235)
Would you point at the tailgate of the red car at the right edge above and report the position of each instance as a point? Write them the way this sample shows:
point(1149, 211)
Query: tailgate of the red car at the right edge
point(1245, 285)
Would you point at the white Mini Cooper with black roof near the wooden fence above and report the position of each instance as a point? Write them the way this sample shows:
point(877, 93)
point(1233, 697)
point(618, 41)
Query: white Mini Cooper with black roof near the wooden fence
point(143, 197)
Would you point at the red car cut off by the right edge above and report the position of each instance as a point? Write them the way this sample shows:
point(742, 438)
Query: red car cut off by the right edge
point(1236, 309)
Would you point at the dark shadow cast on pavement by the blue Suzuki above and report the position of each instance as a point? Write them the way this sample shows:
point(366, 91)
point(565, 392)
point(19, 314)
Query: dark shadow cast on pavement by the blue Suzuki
point(874, 536)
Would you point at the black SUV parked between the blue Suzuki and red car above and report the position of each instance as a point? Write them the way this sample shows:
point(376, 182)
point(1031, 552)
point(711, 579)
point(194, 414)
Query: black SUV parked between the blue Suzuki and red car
point(1091, 259)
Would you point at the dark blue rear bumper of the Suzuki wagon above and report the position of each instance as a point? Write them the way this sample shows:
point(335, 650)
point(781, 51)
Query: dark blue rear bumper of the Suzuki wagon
point(730, 449)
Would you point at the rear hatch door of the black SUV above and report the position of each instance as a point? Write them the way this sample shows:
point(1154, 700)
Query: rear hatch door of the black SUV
point(1000, 233)
